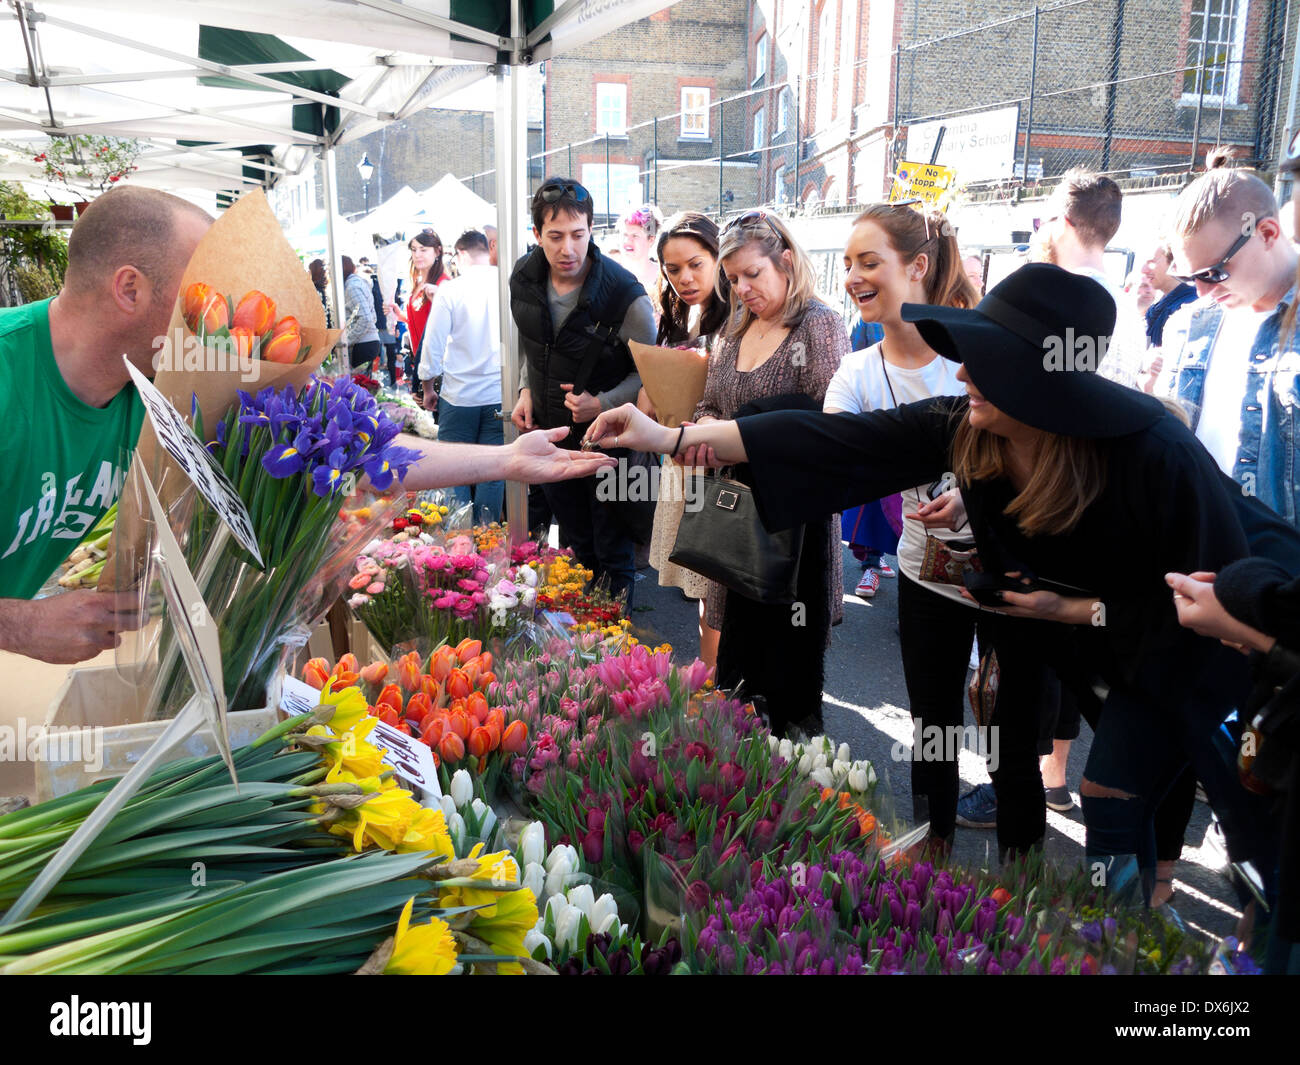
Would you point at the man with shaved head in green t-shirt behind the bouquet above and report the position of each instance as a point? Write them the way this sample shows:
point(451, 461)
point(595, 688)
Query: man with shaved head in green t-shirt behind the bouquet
point(71, 414)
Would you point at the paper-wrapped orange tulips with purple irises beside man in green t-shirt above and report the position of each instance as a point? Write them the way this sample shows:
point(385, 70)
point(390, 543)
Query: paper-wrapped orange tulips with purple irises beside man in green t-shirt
point(296, 449)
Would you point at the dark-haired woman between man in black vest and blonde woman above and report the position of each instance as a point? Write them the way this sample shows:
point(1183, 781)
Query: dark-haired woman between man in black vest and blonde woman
point(692, 310)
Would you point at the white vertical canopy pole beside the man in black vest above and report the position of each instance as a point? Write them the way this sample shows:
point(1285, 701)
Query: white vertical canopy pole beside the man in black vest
point(510, 132)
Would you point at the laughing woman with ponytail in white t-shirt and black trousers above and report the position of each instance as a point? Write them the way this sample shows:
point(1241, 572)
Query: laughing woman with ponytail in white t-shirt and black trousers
point(899, 256)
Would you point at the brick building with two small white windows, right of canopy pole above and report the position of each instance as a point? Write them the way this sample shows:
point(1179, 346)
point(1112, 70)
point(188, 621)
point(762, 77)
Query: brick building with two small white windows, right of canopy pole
point(652, 89)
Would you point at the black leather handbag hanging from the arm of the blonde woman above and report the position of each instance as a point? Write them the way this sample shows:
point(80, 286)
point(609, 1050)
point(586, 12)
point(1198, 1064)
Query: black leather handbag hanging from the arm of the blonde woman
point(723, 539)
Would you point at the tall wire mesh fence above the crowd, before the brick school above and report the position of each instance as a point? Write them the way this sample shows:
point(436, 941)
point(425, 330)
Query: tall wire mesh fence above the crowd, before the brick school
point(1134, 89)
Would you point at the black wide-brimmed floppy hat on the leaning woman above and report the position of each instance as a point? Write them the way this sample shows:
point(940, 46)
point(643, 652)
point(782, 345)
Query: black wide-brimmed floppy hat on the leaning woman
point(1033, 347)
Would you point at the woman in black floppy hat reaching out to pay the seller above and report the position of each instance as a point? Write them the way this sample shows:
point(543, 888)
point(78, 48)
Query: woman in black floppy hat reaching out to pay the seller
point(1085, 491)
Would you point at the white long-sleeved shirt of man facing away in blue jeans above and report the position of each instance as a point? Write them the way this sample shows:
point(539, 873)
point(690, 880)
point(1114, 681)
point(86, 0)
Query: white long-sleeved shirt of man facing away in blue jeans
point(462, 340)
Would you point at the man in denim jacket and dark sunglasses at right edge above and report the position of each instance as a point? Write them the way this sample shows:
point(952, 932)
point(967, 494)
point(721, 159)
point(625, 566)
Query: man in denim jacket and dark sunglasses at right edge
point(1230, 361)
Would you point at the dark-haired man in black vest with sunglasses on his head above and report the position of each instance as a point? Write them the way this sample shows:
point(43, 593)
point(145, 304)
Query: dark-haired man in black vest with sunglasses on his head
point(577, 310)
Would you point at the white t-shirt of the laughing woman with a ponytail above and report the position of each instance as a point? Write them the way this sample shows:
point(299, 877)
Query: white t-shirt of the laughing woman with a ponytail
point(863, 384)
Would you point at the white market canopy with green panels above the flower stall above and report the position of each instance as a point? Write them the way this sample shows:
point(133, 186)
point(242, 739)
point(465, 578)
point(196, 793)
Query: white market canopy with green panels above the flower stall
point(136, 70)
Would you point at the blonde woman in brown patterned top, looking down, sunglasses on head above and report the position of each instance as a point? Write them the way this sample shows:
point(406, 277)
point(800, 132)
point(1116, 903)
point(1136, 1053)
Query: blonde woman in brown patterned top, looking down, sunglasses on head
point(782, 347)
